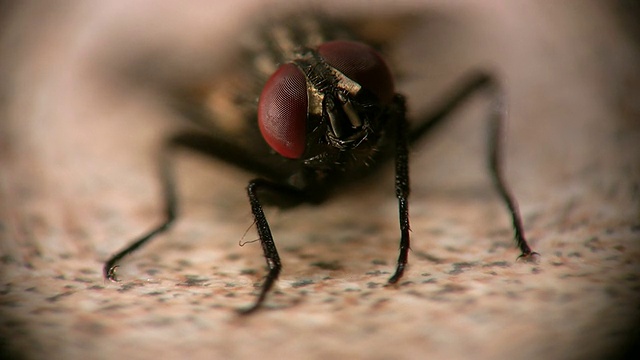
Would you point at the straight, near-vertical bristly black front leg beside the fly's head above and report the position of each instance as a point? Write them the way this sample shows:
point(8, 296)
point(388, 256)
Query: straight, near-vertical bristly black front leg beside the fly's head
point(402, 185)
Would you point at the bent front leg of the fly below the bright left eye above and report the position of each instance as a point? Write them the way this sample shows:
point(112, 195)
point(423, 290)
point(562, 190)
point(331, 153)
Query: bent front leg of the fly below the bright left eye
point(264, 232)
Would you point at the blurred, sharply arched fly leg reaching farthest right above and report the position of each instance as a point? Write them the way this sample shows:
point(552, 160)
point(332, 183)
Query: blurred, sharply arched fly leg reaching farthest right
point(475, 84)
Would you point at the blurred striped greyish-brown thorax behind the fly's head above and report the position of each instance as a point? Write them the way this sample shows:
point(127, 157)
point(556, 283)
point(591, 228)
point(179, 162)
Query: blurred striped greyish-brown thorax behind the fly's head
point(231, 98)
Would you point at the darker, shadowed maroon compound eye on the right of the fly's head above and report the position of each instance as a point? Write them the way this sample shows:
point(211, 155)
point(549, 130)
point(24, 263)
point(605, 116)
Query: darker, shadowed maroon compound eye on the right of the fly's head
point(362, 64)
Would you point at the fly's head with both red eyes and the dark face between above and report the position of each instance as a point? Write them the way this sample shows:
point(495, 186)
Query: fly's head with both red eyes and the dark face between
point(327, 105)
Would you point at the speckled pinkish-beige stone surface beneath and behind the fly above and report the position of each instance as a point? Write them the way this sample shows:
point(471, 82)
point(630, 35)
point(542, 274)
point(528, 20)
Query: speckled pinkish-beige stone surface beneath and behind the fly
point(82, 119)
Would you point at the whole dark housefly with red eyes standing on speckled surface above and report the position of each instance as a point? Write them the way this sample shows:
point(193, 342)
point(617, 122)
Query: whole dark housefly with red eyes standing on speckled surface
point(315, 106)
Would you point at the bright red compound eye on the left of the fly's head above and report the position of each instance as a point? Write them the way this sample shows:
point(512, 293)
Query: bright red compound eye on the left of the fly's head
point(282, 111)
